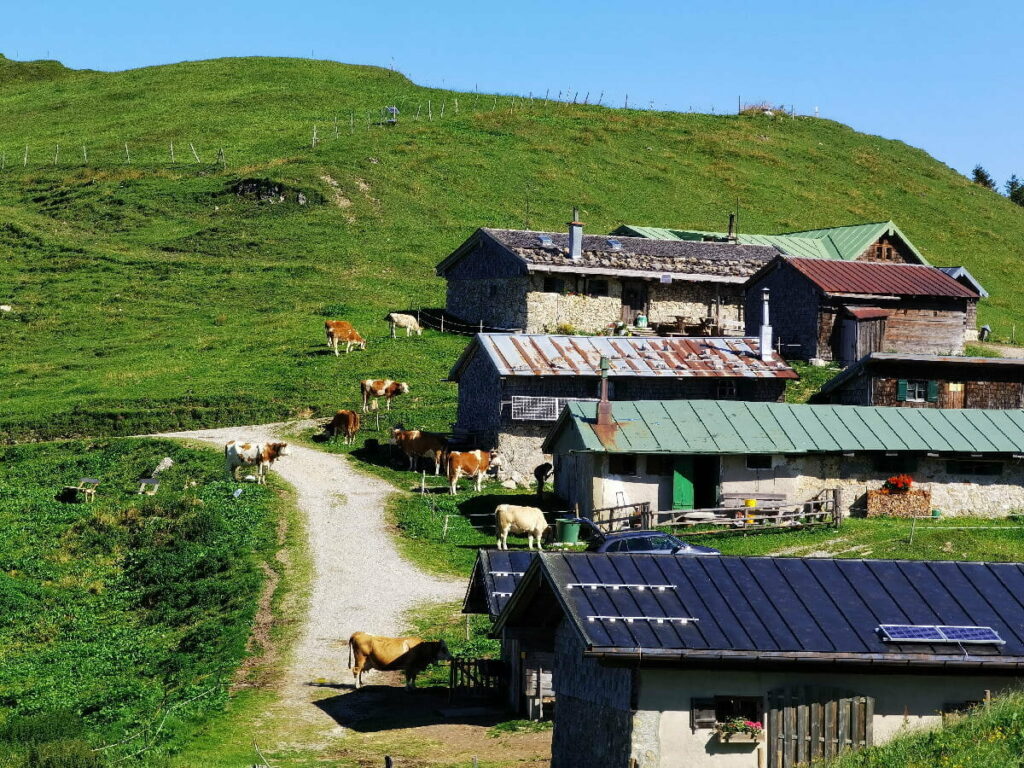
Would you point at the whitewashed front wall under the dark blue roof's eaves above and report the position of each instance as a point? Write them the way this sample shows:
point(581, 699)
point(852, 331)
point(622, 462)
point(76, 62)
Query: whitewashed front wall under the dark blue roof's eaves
point(902, 703)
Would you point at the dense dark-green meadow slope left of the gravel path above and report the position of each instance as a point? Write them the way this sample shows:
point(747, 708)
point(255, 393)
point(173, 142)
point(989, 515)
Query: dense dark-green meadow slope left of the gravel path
point(124, 620)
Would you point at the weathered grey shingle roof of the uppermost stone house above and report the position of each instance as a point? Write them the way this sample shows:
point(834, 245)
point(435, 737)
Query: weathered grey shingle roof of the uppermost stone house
point(723, 261)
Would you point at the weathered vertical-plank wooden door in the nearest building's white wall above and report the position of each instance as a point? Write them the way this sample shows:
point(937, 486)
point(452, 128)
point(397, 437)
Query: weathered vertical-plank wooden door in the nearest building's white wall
point(807, 724)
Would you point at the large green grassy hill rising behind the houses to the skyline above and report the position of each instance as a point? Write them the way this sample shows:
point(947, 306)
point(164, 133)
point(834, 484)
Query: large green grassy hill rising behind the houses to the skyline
point(149, 294)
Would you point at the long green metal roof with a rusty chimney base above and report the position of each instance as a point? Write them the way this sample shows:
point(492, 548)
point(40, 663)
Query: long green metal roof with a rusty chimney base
point(738, 428)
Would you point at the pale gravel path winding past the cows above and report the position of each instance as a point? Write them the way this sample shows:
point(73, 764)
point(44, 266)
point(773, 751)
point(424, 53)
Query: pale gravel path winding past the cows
point(361, 582)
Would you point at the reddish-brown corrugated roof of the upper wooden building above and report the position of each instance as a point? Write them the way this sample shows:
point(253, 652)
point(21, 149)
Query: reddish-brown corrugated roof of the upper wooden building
point(878, 279)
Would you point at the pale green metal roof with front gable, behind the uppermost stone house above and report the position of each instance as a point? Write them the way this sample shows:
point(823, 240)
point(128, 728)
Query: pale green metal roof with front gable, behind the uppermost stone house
point(845, 243)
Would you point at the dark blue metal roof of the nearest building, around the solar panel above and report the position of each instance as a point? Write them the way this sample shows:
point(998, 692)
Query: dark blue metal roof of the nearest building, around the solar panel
point(776, 610)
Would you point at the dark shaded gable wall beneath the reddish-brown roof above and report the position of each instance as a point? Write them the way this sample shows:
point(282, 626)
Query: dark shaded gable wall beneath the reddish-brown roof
point(794, 309)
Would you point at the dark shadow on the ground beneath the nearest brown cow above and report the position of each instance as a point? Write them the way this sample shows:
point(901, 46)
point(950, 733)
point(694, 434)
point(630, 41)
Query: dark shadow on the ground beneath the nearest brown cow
point(383, 708)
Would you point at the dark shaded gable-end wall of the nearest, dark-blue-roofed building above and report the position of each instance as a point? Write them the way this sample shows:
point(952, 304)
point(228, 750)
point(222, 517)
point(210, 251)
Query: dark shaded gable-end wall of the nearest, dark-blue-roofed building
point(593, 718)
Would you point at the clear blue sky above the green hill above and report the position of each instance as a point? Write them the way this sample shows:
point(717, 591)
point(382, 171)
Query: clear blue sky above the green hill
point(944, 75)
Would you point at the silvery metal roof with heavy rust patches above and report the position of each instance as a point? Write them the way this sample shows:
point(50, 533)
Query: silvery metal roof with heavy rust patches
point(542, 355)
